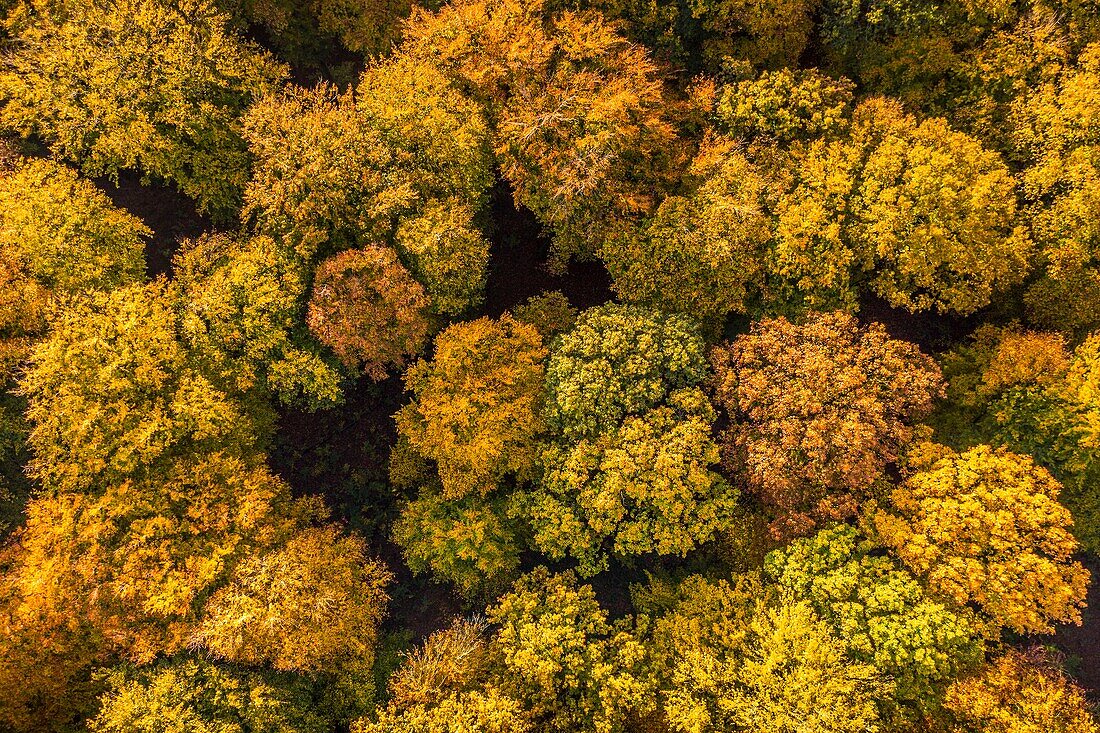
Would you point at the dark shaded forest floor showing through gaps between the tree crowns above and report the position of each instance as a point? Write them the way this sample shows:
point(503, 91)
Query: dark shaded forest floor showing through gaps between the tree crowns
point(343, 454)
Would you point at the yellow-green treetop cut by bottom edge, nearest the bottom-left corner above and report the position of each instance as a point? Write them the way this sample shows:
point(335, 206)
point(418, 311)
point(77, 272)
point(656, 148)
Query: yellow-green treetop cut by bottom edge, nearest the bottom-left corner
point(199, 696)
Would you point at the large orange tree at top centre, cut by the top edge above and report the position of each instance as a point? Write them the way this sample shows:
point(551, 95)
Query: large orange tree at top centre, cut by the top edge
point(576, 111)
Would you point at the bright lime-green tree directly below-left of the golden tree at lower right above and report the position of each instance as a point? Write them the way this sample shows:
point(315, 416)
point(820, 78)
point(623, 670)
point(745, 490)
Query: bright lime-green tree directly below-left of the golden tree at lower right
point(881, 615)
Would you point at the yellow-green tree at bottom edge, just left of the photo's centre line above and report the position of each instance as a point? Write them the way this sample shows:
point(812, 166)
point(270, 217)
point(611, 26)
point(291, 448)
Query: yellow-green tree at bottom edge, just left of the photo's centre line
point(566, 664)
